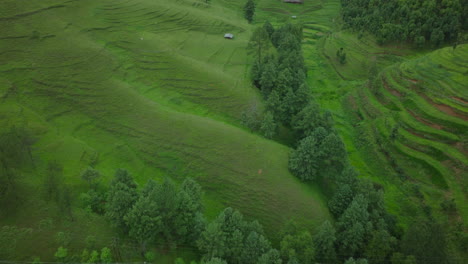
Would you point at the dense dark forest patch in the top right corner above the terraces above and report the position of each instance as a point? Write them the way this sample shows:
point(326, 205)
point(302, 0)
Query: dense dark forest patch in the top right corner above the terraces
point(416, 21)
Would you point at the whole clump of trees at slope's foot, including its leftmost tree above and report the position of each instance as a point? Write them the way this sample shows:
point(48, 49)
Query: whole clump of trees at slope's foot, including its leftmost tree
point(159, 213)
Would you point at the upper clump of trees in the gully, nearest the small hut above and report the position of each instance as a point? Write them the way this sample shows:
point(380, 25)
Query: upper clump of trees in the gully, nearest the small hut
point(279, 72)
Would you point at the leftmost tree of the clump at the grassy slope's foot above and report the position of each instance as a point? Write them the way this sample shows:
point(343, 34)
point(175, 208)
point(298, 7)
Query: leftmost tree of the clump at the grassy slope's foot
point(121, 197)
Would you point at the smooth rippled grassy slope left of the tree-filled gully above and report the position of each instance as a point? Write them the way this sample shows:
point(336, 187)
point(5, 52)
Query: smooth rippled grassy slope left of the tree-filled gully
point(145, 85)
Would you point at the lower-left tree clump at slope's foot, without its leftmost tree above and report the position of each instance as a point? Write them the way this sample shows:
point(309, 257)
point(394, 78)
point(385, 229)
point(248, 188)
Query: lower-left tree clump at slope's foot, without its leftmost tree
point(163, 212)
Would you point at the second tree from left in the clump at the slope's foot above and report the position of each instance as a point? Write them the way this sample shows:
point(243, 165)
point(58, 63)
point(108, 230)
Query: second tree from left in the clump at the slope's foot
point(144, 220)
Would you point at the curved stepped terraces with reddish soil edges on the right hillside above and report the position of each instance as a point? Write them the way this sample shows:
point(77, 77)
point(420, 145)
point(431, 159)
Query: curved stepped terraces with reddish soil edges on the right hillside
point(418, 111)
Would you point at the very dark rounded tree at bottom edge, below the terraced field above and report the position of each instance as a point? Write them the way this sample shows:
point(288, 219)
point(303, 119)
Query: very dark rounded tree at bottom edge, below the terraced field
point(426, 241)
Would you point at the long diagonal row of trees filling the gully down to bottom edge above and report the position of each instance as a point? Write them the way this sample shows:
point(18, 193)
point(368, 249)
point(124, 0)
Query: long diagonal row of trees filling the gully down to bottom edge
point(364, 231)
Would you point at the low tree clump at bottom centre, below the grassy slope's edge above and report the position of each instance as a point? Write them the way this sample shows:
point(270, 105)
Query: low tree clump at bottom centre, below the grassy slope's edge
point(231, 238)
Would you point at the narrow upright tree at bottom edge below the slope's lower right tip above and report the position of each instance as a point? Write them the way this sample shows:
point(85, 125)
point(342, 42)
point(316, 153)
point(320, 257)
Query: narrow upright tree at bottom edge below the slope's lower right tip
point(324, 243)
